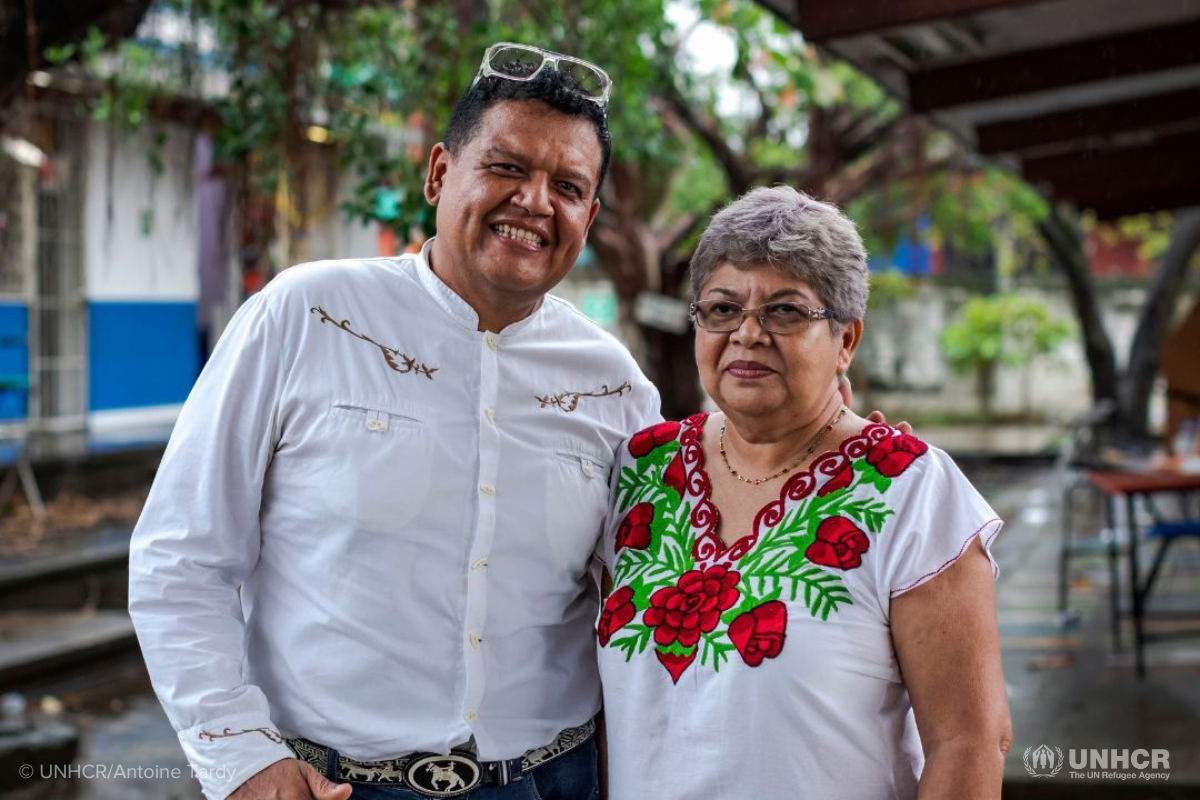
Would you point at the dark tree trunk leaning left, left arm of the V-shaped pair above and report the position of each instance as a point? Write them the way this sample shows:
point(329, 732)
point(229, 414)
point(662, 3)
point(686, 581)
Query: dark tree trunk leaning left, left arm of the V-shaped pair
point(1067, 250)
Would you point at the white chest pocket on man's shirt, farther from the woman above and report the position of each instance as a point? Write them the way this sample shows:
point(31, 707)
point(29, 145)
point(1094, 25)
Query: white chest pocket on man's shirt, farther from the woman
point(385, 466)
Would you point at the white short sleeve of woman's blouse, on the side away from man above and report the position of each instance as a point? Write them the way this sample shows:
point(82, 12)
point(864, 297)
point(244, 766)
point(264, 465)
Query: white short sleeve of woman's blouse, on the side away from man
point(938, 519)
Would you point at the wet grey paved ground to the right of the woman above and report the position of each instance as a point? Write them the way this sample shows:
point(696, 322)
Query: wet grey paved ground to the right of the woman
point(1069, 689)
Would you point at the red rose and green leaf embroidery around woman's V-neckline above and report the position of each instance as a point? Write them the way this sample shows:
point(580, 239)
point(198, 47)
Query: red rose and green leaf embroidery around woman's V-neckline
point(679, 587)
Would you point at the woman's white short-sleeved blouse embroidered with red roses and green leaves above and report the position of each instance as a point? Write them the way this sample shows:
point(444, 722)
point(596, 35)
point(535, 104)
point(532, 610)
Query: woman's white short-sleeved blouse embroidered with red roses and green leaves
point(766, 670)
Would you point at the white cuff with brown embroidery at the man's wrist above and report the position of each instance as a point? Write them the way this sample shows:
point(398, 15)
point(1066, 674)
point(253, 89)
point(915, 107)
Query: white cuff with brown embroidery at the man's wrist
point(229, 751)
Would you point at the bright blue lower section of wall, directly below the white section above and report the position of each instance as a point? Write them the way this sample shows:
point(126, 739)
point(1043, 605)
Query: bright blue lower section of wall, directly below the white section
point(141, 354)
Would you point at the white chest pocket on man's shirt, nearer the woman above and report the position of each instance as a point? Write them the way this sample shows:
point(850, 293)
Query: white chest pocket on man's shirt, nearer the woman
point(577, 501)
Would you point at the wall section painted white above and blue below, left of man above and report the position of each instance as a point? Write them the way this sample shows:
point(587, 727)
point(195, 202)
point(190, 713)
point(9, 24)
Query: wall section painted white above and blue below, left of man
point(142, 268)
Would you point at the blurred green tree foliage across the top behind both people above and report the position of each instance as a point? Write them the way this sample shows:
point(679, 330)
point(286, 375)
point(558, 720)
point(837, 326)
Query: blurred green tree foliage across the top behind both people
point(380, 81)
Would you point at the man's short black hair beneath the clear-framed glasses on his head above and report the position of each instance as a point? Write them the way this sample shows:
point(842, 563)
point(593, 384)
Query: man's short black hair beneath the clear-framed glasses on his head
point(551, 87)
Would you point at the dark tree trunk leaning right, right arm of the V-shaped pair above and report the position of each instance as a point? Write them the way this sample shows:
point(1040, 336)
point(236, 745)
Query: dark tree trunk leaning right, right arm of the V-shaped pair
point(1155, 322)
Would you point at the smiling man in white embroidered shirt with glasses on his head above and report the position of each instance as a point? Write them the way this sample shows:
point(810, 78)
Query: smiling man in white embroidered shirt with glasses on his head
point(369, 540)
